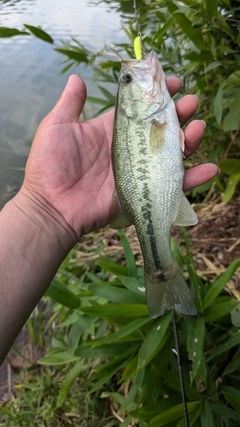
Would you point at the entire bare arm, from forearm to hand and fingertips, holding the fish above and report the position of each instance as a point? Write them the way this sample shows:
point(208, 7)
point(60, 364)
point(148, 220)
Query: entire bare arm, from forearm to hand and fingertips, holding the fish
point(66, 193)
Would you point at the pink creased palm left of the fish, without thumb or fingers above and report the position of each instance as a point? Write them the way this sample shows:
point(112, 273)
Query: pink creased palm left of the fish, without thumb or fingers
point(71, 169)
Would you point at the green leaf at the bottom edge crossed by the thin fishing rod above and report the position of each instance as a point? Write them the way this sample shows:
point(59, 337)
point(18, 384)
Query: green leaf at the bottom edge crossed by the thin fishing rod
point(172, 414)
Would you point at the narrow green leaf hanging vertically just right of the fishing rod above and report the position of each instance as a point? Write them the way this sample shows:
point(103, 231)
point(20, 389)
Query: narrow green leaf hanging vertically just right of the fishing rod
point(195, 344)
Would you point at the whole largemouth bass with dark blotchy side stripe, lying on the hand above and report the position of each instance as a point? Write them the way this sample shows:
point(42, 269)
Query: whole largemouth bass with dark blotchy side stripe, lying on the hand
point(147, 156)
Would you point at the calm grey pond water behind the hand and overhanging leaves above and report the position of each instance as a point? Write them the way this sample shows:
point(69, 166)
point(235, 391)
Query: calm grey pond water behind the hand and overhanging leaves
point(30, 79)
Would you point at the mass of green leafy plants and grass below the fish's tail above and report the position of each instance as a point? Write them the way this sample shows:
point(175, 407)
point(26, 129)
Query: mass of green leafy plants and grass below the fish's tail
point(108, 363)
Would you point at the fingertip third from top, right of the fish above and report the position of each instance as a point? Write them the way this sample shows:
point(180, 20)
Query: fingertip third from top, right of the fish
point(194, 134)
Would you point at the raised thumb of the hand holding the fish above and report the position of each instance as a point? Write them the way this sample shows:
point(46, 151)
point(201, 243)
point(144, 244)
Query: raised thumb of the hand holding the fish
point(71, 102)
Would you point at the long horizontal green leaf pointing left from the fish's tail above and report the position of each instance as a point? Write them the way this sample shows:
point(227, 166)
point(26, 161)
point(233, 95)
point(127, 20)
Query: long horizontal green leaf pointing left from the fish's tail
point(118, 310)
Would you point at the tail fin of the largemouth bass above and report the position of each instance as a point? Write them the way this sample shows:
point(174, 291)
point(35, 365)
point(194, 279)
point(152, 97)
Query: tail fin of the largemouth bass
point(167, 294)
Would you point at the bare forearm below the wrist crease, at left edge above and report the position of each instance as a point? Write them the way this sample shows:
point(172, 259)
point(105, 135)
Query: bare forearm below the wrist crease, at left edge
point(33, 243)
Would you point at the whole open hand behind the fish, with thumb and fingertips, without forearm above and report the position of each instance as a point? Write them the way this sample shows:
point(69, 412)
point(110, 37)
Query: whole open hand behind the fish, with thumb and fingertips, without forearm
point(69, 167)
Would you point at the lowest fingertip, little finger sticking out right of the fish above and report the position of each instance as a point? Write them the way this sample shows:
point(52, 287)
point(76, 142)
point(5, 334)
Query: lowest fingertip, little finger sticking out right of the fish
point(199, 175)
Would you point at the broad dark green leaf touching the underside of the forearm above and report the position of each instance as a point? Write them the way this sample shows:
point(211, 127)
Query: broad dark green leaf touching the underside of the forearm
point(61, 294)
